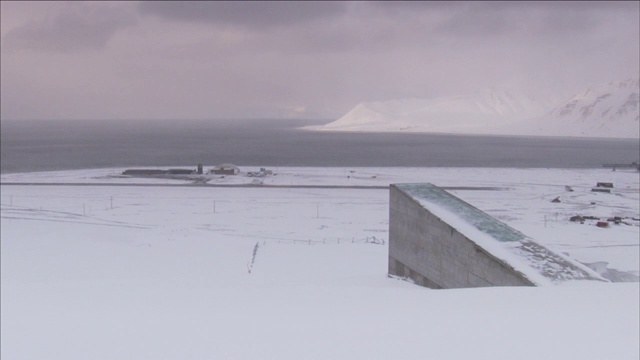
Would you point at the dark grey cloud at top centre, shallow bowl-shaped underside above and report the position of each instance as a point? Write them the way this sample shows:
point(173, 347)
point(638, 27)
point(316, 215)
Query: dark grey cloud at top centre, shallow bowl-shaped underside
point(244, 14)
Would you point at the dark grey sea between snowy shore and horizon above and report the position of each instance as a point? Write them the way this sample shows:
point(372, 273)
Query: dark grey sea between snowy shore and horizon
point(36, 145)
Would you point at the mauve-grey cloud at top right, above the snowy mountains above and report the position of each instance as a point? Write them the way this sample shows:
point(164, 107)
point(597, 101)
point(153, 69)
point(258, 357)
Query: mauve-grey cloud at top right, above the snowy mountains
point(488, 19)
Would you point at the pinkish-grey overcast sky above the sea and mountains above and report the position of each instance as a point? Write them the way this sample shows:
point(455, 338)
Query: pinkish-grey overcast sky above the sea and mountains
point(201, 60)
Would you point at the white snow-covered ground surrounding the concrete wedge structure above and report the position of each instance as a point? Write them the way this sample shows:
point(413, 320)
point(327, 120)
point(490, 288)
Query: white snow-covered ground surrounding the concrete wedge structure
point(133, 272)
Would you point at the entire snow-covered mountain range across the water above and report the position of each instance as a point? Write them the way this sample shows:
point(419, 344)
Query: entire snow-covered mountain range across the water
point(610, 110)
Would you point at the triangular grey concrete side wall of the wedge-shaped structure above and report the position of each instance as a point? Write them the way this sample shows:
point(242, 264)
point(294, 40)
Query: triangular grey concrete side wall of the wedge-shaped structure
point(434, 254)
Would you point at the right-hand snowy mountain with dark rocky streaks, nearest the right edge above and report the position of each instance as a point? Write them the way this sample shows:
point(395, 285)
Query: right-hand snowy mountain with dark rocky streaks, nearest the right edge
point(610, 110)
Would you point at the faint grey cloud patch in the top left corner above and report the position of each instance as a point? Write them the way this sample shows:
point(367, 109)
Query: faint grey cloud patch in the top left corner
point(80, 27)
